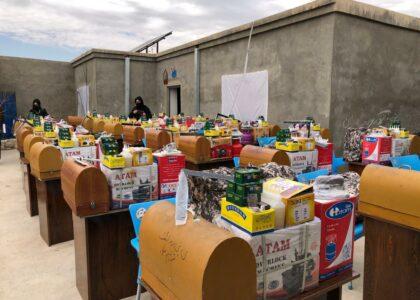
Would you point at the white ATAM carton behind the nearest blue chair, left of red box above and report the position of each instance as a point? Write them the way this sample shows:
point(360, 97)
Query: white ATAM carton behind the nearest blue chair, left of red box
point(132, 185)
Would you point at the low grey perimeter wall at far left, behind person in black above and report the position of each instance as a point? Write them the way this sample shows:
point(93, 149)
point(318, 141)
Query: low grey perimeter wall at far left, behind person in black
point(50, 81)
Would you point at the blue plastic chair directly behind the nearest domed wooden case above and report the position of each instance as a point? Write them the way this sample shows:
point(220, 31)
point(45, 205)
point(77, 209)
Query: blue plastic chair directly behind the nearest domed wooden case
point(137, 211)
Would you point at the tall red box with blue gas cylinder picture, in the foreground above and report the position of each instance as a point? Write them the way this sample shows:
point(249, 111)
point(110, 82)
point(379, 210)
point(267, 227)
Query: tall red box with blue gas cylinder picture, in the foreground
point(337, 235)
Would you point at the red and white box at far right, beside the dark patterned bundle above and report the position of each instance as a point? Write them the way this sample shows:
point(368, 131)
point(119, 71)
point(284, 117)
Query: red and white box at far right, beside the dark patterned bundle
point(376, 149)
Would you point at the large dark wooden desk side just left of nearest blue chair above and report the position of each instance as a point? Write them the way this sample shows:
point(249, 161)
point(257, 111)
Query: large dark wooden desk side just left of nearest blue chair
point(106, 264)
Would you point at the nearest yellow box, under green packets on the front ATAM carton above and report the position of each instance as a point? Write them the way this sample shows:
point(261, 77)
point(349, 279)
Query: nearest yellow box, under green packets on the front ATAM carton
point(246, 219)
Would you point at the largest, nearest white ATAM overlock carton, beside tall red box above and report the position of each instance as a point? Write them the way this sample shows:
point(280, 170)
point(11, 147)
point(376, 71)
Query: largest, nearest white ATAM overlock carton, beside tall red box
point(283, 249)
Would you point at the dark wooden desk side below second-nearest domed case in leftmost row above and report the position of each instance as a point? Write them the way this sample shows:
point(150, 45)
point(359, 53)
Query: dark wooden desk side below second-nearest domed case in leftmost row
point(55, 221)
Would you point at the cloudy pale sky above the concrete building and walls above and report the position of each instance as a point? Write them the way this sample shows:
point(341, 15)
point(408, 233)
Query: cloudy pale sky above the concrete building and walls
point(63, 29)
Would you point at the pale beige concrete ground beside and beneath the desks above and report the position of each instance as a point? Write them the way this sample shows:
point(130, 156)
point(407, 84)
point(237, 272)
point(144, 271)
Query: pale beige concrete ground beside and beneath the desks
point(29, 269)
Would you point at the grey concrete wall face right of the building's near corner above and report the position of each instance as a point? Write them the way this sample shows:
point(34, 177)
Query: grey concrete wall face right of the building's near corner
point(375, 68)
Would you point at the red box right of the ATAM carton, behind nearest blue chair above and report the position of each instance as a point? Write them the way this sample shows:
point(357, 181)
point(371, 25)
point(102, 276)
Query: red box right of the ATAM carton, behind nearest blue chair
point(168, 169)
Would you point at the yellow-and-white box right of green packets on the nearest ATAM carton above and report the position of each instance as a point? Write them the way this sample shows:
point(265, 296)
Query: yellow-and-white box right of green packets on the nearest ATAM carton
point(297, 197)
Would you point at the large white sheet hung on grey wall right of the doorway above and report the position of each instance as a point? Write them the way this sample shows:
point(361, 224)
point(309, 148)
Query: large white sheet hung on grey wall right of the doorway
point(245, 95)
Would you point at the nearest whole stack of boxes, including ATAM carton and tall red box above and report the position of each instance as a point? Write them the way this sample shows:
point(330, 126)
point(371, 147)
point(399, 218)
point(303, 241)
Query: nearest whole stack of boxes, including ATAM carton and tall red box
point(281, 221)
